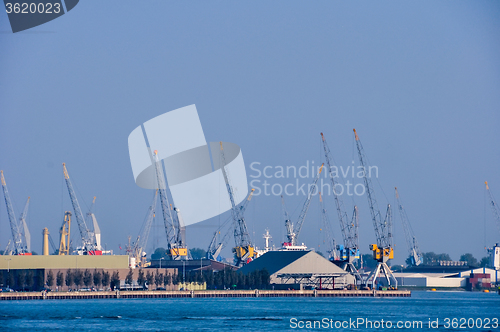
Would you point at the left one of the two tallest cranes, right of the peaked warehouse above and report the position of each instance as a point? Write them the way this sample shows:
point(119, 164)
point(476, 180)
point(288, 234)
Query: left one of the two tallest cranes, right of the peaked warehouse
point(349, 250)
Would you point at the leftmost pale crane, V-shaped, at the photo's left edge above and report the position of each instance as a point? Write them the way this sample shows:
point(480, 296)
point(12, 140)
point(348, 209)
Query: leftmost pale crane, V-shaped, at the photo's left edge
point(20, 232)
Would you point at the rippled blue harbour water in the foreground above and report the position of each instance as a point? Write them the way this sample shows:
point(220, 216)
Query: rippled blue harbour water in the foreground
point(246, 314)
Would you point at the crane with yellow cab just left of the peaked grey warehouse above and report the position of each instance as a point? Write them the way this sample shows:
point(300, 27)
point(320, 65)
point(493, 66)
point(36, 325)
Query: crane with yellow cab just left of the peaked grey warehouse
point(243, 250)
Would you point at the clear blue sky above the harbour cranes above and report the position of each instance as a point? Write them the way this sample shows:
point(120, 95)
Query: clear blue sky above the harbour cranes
point(420, 82)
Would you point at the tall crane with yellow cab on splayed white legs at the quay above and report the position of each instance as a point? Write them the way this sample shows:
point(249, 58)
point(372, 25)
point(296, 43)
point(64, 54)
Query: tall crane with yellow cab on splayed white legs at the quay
point(383, 250)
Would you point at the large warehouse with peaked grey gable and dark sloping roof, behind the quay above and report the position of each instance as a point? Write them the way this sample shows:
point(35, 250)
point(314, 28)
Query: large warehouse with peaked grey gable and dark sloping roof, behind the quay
point(299, 270)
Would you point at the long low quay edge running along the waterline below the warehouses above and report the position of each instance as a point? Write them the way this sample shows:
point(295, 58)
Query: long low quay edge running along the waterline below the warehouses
point(17, 296)
